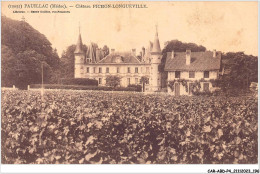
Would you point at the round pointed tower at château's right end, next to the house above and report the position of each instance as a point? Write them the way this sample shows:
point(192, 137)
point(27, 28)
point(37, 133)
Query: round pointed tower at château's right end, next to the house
point(156, 56)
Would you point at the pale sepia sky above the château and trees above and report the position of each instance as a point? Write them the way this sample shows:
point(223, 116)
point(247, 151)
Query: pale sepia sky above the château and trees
point(224, 26)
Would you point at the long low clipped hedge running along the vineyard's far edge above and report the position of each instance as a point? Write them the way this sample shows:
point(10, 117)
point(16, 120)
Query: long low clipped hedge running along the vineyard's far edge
point(79, 87)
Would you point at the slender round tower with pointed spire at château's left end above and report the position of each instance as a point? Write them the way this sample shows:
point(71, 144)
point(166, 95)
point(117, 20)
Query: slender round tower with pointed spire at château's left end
point(79, 58)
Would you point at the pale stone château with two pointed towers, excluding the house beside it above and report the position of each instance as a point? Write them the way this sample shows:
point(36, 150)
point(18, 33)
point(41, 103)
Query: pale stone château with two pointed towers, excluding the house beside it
point(123, 64)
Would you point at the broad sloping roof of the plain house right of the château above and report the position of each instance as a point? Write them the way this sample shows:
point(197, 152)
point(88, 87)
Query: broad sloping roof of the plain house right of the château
point(200, 61)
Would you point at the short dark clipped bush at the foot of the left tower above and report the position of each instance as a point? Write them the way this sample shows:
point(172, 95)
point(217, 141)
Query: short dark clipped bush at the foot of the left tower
point(79, 81)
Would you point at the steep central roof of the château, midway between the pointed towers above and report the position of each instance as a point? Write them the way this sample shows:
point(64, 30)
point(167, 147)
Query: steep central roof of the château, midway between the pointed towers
point(123, 57)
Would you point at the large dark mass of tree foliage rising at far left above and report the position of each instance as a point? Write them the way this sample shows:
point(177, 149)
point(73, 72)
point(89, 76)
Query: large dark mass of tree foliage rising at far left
point(24, 49)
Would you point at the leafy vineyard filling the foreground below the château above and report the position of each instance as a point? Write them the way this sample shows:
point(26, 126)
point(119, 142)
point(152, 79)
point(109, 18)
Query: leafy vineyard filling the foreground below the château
point(74, 127)
